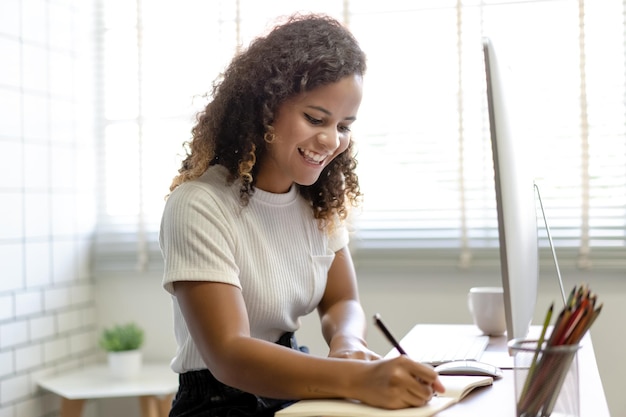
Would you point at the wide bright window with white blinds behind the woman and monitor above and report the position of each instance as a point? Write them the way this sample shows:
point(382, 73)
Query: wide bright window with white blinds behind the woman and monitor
point(424, 151)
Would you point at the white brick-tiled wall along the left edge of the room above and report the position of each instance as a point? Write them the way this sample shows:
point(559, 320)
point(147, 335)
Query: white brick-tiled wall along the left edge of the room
point(47, 314)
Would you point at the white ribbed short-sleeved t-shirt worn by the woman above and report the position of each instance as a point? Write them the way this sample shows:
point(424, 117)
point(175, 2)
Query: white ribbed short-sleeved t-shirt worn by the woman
point(272, 249)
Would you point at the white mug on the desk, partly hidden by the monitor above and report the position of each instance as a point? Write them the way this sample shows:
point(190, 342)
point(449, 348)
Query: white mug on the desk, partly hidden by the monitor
point(487, 307)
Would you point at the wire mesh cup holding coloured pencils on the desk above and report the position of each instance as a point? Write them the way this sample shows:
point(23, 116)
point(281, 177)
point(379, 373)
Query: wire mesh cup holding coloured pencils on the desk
point(546, 379)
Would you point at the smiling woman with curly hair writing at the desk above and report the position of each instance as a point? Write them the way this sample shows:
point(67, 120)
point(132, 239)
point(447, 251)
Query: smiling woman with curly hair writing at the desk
point(253, 235)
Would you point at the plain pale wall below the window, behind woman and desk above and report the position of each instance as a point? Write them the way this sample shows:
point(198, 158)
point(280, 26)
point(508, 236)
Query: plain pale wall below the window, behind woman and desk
point(403, 299)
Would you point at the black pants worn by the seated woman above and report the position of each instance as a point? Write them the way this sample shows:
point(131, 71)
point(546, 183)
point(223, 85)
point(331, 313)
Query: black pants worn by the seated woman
point(201, 395)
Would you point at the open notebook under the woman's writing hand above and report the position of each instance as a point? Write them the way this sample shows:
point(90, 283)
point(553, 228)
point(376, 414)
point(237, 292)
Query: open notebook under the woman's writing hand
point(457, 387)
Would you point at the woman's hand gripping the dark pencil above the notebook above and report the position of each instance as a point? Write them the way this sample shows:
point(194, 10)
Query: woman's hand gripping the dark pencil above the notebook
point(397, 383)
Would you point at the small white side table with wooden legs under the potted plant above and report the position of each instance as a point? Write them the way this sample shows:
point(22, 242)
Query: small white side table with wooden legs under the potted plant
point(155, 387)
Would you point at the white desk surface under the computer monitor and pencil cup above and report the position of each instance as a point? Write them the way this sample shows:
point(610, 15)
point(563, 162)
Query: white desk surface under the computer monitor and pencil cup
point(499, 399)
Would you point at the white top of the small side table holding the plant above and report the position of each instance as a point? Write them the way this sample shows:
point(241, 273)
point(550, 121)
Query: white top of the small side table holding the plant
point(95, 381)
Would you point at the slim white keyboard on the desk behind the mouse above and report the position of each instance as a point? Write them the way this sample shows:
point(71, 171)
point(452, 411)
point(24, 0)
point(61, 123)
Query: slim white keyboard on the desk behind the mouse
point(435, 351)
